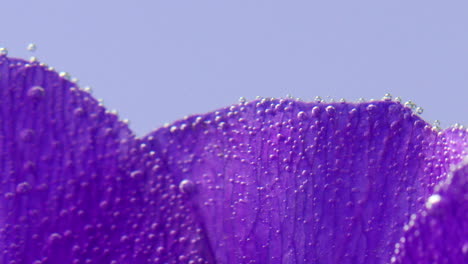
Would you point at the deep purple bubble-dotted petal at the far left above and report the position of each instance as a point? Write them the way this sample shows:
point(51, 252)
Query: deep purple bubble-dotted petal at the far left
point(76, 187)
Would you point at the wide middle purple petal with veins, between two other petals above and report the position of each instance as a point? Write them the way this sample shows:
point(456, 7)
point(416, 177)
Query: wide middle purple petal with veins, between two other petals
point(280, 181)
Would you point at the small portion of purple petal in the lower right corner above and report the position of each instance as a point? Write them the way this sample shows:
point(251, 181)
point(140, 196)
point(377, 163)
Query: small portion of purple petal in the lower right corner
point(439, 234)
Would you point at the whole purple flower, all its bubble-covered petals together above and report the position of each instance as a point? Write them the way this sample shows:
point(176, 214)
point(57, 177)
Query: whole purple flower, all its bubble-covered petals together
point(267, 181)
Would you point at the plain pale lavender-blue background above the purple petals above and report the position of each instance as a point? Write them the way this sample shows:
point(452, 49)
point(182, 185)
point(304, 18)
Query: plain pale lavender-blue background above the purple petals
point(157, 61)
